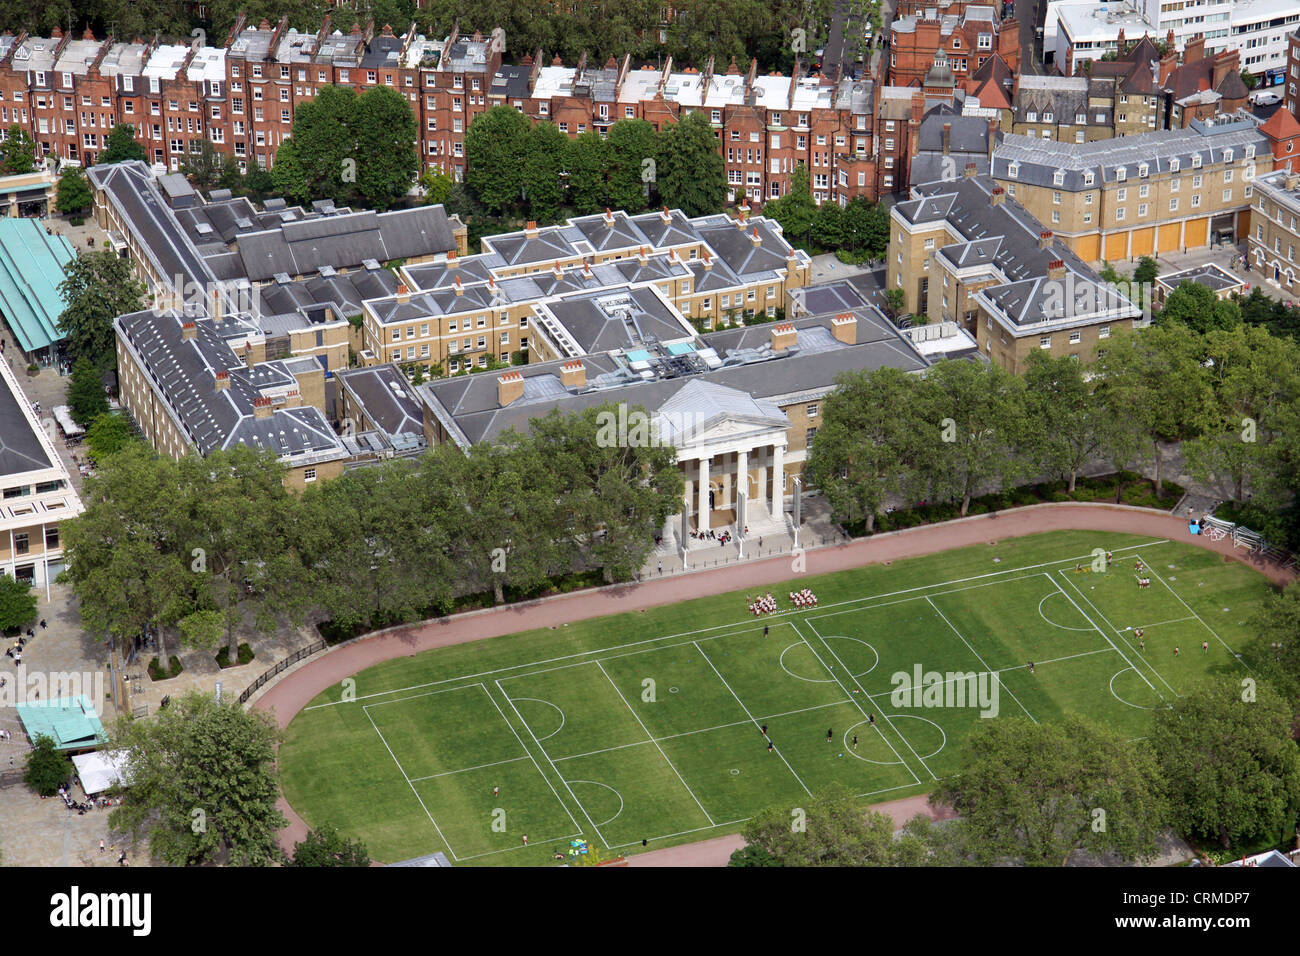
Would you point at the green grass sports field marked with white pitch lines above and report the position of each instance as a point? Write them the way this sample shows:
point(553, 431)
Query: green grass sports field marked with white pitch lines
point(645, 726)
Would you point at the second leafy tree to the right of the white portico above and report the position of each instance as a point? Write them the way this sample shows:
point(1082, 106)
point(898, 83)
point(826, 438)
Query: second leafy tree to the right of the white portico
point(977, 430)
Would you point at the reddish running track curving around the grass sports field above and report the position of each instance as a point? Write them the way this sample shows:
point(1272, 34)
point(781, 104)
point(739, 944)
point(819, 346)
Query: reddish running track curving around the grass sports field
point(292, 693)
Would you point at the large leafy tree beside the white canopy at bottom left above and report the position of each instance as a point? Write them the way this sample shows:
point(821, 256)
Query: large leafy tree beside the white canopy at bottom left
point(203, 784)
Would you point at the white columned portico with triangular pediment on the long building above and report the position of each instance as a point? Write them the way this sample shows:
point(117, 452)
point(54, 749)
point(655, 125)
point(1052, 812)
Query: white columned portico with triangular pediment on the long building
point(731, 449)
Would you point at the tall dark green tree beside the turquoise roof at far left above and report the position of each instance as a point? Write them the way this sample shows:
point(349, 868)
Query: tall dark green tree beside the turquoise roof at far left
point(98, 288)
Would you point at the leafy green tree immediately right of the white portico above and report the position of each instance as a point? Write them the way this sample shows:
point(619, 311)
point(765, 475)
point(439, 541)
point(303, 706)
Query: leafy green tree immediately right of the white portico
point(865, 447)
